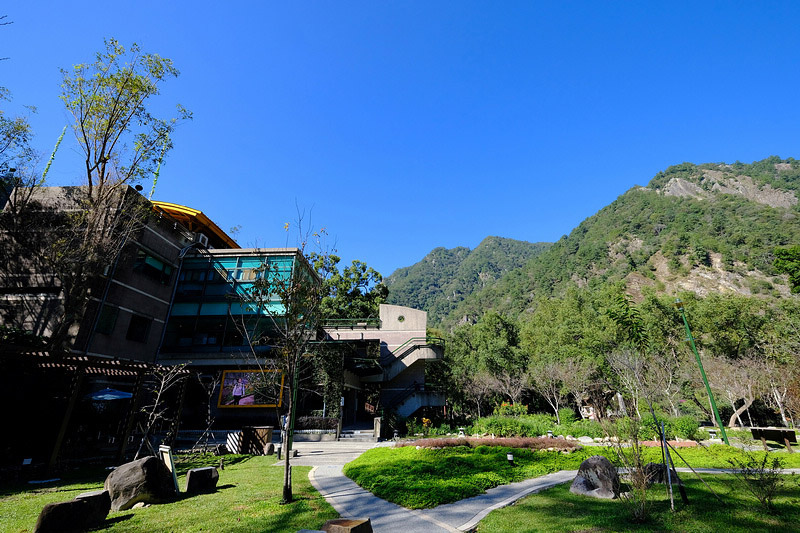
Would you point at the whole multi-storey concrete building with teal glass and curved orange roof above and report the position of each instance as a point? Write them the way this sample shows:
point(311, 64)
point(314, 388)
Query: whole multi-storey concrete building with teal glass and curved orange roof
point(175, 292)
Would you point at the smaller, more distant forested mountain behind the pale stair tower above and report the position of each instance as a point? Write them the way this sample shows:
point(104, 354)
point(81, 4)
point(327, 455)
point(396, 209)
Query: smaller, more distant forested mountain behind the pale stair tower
point(445, 277)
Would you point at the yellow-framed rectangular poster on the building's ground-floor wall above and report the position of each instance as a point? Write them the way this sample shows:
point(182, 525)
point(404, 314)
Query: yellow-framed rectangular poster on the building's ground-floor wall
point(251, 388)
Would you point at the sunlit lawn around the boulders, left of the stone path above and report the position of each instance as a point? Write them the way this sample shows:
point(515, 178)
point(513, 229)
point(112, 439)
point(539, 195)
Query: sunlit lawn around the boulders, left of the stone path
point(247, 499)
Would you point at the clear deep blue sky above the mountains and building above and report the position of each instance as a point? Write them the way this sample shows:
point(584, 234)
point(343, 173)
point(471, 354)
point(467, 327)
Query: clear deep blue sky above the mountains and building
point(402, 126)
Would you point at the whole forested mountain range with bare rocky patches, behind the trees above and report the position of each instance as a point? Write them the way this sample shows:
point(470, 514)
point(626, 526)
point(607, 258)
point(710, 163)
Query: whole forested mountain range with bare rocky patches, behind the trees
point(703, 228)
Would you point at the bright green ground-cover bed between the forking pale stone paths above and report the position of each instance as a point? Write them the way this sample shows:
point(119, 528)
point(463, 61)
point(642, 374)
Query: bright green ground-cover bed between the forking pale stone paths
point(424, 478)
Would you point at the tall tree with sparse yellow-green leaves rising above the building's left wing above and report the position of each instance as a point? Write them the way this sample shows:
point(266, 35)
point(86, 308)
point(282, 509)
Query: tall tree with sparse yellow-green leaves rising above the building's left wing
point(122, 143)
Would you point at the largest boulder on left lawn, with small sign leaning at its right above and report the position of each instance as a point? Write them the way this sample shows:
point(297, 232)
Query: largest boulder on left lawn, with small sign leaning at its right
point(146, 480)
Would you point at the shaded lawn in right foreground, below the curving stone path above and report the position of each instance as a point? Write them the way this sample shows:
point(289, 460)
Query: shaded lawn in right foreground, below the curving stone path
point(558, 510)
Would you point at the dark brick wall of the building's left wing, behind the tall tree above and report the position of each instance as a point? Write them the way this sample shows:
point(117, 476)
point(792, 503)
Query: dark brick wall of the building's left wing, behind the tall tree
point(127, 303)
